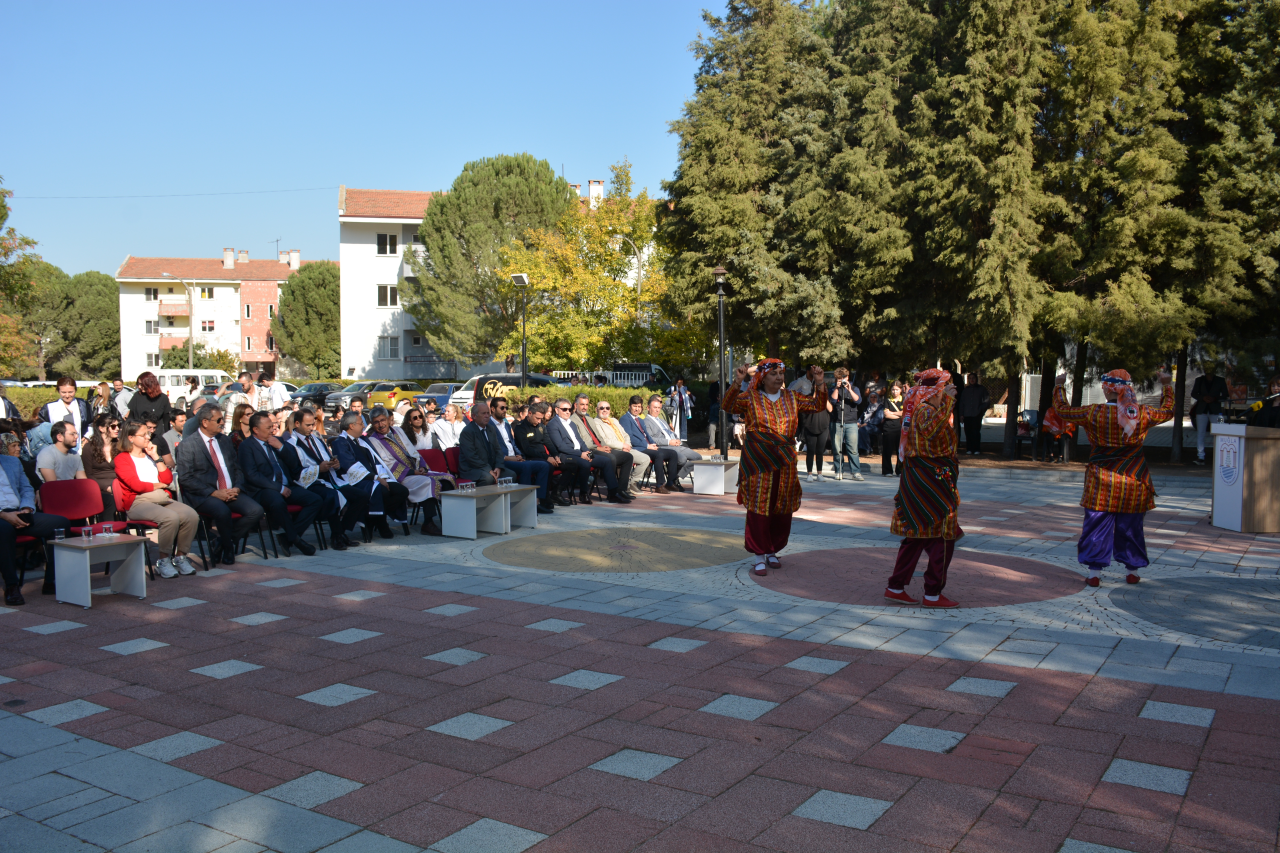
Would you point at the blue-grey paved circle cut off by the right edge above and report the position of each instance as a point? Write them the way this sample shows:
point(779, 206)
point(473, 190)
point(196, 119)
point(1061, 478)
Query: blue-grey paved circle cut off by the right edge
point(1235, 610)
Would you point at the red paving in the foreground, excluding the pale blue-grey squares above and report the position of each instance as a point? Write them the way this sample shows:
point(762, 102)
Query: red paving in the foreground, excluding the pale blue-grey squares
point(1026, 778)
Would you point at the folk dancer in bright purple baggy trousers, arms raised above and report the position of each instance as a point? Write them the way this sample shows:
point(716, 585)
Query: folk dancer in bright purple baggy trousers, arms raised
point(1118, 490)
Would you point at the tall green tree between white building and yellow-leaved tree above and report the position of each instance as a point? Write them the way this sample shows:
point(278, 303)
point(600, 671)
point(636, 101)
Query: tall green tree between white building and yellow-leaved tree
point(463, 305)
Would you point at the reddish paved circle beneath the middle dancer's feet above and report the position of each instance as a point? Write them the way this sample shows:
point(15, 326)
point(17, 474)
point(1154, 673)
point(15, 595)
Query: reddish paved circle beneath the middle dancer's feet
point(858, 576)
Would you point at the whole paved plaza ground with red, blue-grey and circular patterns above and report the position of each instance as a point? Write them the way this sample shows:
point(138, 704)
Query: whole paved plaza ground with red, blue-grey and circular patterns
point(618, 681)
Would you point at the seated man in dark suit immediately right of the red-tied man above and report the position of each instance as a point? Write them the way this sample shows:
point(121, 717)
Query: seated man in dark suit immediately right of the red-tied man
point(272, 469)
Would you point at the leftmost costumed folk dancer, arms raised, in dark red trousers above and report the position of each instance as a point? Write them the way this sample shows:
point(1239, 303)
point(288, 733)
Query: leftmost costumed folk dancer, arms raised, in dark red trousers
point(770, 489)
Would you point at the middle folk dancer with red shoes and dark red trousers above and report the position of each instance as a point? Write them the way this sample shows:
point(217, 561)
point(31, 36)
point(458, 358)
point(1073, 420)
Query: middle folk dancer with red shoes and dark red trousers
point(925, 508)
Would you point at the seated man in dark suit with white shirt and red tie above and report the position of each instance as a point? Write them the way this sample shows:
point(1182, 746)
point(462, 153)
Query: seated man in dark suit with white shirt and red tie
point(213, 482)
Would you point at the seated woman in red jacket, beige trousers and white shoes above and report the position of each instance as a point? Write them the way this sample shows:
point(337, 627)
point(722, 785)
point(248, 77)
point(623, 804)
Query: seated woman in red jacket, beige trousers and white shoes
point(141, 478)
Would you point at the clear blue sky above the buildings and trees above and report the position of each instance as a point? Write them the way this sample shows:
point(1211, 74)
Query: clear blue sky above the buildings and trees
point(168, 99)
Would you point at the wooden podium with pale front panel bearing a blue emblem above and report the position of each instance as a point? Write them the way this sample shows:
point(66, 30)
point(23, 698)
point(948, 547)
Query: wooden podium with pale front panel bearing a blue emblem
point(1246, 472)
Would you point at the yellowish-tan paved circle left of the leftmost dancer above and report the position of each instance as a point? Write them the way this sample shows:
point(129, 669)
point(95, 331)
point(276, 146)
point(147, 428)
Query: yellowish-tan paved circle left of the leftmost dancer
point(621, 550)
